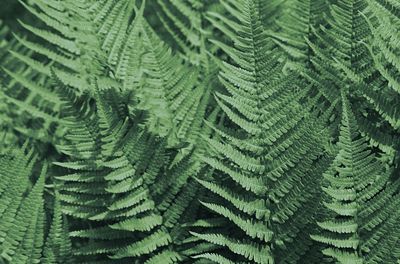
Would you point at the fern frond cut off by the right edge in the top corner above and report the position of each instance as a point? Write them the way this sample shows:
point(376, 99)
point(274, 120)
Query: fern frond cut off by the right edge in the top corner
point(384, 23)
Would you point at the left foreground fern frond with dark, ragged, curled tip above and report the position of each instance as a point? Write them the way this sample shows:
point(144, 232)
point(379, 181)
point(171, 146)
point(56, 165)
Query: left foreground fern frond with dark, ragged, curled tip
point(105, 185)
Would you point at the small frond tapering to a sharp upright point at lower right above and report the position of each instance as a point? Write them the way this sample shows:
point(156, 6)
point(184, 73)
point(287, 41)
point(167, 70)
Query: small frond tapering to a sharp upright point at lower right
point(357, 185)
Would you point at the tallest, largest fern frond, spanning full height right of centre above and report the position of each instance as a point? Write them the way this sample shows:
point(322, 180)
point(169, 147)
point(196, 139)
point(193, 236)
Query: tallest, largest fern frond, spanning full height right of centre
point(260, 161)
